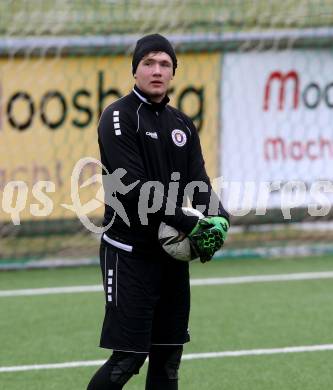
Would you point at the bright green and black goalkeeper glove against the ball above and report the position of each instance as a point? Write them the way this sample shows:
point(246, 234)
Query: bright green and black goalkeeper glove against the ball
point(208, 236)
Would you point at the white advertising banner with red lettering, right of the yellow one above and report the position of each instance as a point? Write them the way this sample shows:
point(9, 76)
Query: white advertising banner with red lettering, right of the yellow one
point(277, 127)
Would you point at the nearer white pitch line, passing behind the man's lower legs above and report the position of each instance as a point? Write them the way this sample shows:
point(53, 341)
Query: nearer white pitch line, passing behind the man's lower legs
point(190, 356)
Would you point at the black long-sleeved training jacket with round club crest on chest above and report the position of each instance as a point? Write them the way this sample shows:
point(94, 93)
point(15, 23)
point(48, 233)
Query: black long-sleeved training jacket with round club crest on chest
point(150, 141)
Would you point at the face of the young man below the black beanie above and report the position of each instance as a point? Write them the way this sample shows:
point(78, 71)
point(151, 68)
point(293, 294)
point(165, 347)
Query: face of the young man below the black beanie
point(154, 74)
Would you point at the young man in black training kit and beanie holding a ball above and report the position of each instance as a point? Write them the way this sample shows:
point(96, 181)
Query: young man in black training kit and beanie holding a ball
point(147, 292)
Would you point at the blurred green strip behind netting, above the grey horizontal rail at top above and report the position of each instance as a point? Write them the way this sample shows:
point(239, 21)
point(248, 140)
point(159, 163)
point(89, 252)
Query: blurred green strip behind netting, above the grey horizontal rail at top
point(63, 17)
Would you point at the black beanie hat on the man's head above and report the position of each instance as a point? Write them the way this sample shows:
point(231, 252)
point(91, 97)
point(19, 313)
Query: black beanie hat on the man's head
point(152, 42)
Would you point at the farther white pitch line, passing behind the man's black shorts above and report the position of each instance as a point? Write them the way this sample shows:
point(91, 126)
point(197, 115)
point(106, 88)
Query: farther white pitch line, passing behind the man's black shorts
point(194, 282)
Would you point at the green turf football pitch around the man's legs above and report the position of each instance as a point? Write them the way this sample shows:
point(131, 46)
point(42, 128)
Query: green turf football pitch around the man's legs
point(59, 328)
